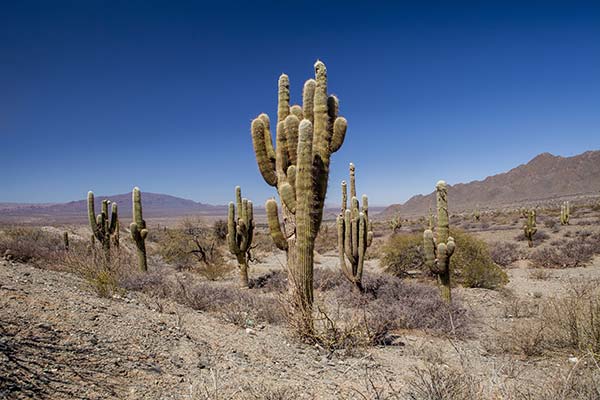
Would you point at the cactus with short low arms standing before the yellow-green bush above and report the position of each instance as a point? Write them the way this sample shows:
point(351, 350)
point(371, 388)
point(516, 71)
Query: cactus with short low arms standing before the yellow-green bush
point(438, 251)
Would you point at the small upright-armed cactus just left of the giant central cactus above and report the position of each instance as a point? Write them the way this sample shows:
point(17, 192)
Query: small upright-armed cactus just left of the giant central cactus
point(239, 233)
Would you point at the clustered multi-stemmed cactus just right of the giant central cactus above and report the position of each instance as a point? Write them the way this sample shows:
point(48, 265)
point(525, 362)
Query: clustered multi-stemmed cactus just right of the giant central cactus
point(354, 233)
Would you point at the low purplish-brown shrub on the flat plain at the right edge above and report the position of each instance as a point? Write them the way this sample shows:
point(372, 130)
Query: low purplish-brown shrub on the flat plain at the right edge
point(567, 253)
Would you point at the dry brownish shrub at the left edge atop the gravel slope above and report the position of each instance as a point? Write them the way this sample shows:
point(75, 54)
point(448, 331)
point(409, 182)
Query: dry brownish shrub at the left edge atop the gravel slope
point(25, 244)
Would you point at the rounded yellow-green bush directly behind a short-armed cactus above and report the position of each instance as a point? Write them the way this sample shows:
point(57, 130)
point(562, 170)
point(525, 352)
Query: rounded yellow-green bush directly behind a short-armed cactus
point(472, 265)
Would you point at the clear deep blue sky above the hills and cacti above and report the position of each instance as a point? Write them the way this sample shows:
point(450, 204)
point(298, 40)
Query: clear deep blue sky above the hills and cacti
point(106, 95)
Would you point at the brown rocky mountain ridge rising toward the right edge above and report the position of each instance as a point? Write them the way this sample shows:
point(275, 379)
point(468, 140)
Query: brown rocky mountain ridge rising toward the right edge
point(544, 177)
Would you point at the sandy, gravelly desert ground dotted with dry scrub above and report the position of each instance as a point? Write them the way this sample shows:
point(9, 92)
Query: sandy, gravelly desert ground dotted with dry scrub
point(74, 326)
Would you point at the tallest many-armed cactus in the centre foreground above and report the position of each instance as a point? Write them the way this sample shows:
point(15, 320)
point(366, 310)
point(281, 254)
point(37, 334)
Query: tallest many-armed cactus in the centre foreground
point(298, 166)
